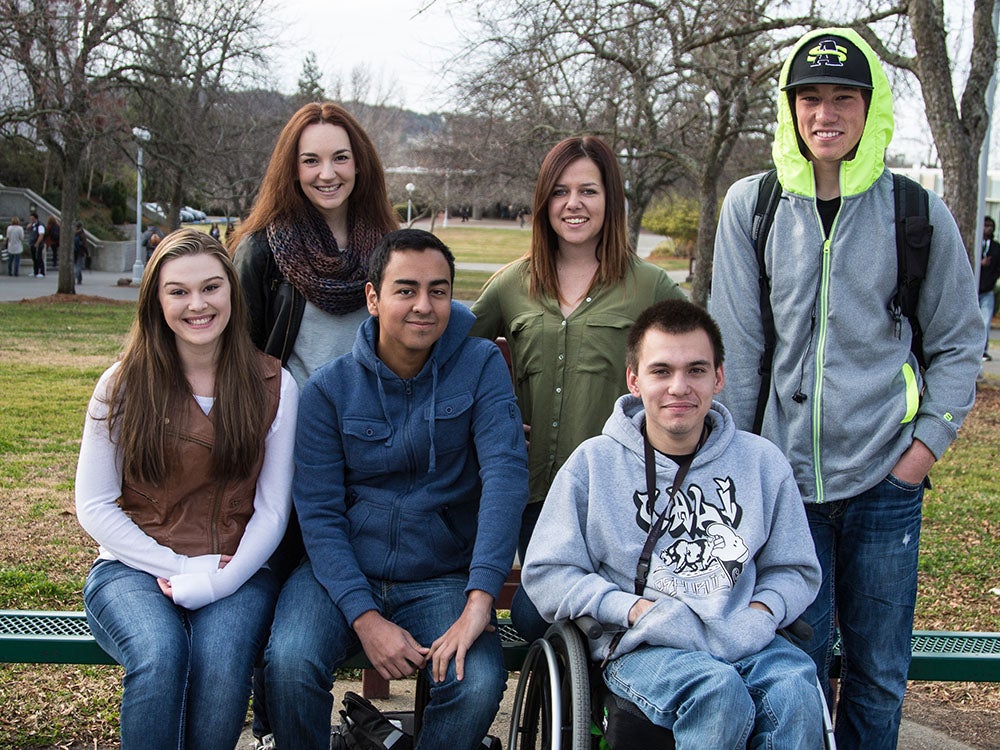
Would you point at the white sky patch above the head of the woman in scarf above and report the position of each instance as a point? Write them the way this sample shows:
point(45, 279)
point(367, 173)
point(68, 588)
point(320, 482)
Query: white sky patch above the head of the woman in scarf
point(406, 43)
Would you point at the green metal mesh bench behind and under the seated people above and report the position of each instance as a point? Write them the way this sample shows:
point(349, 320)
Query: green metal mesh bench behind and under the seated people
point(36, 637)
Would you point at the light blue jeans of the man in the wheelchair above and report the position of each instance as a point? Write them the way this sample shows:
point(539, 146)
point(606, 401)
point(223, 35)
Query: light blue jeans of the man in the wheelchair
point(769, 698)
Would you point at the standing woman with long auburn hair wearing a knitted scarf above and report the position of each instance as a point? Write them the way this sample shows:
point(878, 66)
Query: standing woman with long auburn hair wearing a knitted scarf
point(302, 254)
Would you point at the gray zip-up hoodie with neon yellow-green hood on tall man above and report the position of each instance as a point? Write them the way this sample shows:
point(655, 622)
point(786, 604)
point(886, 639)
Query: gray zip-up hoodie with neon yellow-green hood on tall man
point(838, 346)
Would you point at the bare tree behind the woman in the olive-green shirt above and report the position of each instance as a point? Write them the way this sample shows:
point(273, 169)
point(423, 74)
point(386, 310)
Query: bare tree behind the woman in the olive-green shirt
point(630, 72)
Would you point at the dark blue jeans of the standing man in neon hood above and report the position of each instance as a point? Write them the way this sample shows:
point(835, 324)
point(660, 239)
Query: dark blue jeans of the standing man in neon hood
point(867, 547)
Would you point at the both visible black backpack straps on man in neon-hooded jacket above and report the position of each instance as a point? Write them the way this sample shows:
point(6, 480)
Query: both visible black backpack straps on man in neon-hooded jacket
point(913, 246)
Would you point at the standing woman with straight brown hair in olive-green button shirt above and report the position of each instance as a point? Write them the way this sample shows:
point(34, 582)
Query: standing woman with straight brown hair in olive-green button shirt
point(566, 307)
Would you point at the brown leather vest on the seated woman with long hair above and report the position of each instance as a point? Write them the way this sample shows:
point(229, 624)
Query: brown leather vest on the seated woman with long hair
point(193, 513)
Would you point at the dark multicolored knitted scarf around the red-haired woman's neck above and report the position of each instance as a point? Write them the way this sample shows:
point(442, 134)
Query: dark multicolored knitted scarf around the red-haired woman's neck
point(308, 256)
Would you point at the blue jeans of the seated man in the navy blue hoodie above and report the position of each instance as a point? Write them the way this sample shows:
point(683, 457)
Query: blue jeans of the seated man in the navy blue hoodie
point(310, 638)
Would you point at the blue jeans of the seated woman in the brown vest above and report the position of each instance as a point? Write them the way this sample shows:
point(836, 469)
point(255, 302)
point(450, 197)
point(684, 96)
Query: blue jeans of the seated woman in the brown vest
point(187, 672)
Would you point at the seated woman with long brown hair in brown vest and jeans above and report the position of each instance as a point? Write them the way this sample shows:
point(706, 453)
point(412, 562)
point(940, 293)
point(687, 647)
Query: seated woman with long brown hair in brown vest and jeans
point(184, 480)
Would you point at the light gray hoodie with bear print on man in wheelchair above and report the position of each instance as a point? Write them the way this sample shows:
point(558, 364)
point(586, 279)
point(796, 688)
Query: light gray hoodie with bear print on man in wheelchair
point(736, 532)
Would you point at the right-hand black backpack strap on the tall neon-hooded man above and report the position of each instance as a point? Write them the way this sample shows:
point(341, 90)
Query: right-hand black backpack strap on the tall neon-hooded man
point(913, 247)
